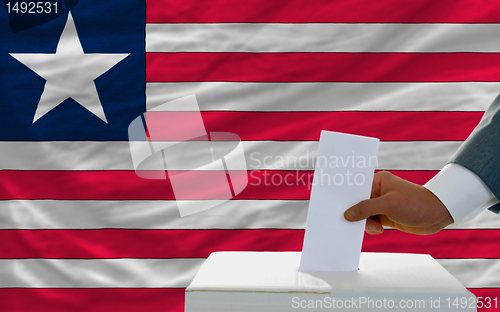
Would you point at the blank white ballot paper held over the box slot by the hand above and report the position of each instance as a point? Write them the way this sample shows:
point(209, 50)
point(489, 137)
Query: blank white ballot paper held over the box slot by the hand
point(343, 177)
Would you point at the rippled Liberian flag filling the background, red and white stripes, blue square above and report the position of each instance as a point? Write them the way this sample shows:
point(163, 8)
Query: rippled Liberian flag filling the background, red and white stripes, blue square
point(80, 231)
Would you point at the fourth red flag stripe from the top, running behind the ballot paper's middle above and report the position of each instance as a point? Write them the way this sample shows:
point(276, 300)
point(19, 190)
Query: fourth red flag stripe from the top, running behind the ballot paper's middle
point(126, 185)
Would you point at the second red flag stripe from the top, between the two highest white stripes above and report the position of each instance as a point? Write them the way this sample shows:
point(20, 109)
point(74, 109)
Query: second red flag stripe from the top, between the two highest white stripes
point(323, 67)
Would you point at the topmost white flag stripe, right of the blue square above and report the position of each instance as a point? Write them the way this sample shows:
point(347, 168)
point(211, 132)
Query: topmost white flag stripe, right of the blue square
point(323, 37)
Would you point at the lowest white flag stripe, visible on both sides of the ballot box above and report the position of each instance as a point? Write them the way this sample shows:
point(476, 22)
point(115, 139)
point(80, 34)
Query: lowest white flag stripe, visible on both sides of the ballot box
point(172, 273)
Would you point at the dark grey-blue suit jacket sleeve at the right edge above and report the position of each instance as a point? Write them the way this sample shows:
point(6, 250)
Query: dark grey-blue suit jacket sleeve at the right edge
point(480, 153)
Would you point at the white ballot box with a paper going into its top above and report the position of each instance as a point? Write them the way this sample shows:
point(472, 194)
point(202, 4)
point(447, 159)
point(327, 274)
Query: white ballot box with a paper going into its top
point(270, 281)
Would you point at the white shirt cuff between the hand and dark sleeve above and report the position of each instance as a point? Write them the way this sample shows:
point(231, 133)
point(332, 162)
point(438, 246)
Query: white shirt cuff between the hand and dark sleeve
point(462, 192)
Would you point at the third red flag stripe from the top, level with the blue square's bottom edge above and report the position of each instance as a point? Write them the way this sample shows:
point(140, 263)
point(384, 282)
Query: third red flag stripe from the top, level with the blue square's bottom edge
point(307, 126)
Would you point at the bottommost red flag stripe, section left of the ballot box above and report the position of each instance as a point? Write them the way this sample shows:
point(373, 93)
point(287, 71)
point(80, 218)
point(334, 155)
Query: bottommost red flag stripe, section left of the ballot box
point(91, 300)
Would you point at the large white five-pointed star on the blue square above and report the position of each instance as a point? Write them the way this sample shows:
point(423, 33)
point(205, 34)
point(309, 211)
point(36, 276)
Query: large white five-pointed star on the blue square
point(69, 73)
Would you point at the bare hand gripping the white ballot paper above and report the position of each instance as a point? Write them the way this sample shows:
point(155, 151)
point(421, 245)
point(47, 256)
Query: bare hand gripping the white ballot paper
point(400, 204)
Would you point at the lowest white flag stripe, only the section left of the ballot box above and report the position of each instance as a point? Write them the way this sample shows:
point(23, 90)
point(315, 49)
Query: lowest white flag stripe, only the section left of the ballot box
point(98, 273)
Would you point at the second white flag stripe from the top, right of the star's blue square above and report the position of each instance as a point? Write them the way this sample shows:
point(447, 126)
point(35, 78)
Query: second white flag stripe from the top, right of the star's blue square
point(243, 96)
